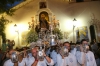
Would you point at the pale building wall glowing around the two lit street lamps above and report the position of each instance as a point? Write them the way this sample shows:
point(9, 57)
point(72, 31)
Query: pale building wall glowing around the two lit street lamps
point(63, 11)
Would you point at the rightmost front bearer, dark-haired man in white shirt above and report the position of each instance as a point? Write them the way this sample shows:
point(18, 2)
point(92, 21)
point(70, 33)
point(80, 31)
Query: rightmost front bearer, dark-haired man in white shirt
point(84, 56)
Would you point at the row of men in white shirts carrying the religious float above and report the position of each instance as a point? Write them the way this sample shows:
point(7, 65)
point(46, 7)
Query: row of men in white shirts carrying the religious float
point(63, 54)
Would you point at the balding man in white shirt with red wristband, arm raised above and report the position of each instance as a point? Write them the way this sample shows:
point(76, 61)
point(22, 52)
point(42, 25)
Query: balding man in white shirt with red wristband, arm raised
point(34, 61)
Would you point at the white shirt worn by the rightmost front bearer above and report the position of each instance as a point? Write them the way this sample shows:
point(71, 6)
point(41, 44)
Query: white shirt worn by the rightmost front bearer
point(85, 58)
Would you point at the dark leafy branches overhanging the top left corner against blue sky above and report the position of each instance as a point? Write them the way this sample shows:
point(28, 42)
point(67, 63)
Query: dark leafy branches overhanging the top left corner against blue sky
point(6, 5)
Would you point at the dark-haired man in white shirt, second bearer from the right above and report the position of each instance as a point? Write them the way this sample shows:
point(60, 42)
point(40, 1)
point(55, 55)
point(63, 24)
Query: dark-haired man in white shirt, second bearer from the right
point(66, 59)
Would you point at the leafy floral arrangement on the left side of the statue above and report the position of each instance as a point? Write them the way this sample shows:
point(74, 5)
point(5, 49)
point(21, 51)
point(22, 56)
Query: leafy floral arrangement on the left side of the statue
point(32, 36)
